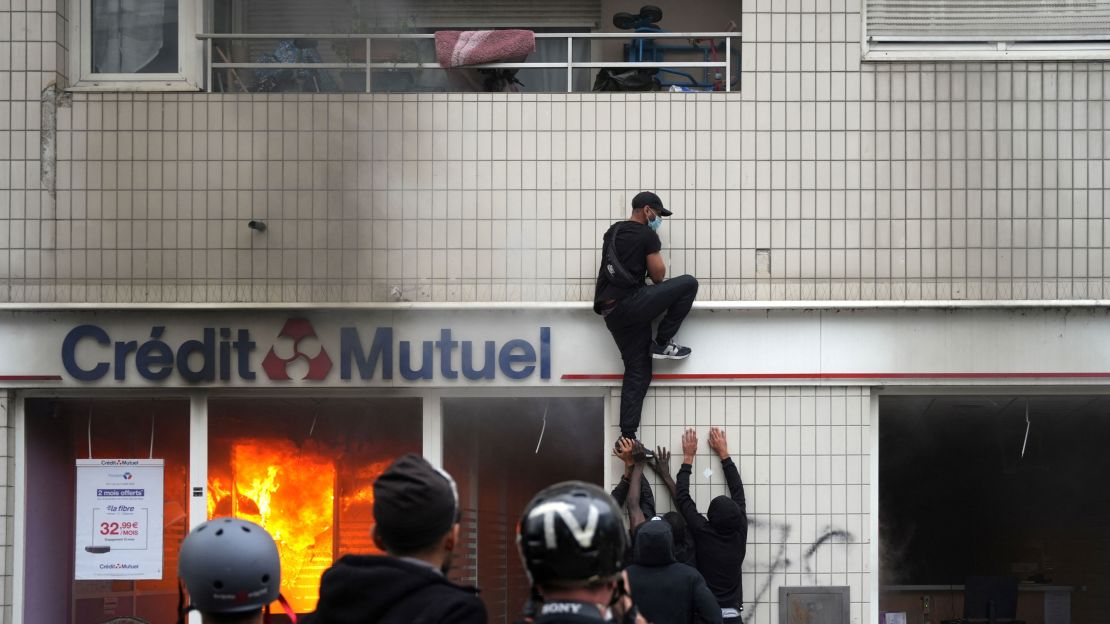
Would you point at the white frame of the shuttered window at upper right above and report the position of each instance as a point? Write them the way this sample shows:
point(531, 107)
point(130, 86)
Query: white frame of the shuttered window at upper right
point(960, 49)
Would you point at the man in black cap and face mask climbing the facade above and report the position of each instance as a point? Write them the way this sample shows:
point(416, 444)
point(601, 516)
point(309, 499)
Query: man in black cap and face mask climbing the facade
point(630, 306)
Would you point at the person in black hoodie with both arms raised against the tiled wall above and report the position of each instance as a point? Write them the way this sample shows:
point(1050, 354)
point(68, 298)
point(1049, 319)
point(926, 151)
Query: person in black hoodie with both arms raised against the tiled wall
point(722, 541)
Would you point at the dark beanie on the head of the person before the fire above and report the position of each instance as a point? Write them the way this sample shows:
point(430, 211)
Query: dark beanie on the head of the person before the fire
point(415, 505)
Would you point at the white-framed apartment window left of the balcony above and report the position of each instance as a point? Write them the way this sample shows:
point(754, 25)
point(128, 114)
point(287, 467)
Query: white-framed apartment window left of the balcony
point(137, 45)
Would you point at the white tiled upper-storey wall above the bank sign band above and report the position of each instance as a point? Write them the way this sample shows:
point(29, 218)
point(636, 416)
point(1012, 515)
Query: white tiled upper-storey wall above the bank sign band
point(879, 182)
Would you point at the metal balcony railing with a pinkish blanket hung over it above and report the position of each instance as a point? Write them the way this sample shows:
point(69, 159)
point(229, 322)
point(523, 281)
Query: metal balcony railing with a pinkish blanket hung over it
point(714, 46)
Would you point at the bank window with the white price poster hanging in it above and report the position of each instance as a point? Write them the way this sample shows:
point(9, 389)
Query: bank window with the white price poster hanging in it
point(60, 506)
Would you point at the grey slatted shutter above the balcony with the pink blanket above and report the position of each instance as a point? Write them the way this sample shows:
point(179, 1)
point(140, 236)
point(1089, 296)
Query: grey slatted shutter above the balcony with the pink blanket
point(390, 16)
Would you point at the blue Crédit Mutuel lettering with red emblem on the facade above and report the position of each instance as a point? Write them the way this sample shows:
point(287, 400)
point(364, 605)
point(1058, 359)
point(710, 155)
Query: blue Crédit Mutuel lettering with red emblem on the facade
point(299, 354)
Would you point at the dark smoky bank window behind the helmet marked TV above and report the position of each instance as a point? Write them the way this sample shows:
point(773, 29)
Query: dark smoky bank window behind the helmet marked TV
point(501, 452)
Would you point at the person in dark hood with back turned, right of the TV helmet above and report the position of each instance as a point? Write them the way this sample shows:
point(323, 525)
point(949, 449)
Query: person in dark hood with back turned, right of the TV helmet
point(664, 590)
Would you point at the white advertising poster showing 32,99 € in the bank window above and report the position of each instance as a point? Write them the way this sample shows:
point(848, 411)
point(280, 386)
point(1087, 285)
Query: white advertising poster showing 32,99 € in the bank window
point(119, 520)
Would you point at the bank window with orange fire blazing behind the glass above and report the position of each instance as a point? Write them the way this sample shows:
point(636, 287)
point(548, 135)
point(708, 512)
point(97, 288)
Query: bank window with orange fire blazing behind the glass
point(305, 470)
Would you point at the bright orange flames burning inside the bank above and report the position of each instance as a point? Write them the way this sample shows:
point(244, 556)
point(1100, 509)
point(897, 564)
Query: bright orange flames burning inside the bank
point(290, 491)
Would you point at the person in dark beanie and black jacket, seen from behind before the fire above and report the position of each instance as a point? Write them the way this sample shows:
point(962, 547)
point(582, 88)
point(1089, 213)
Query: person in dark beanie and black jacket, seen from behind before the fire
point(417, 522)
